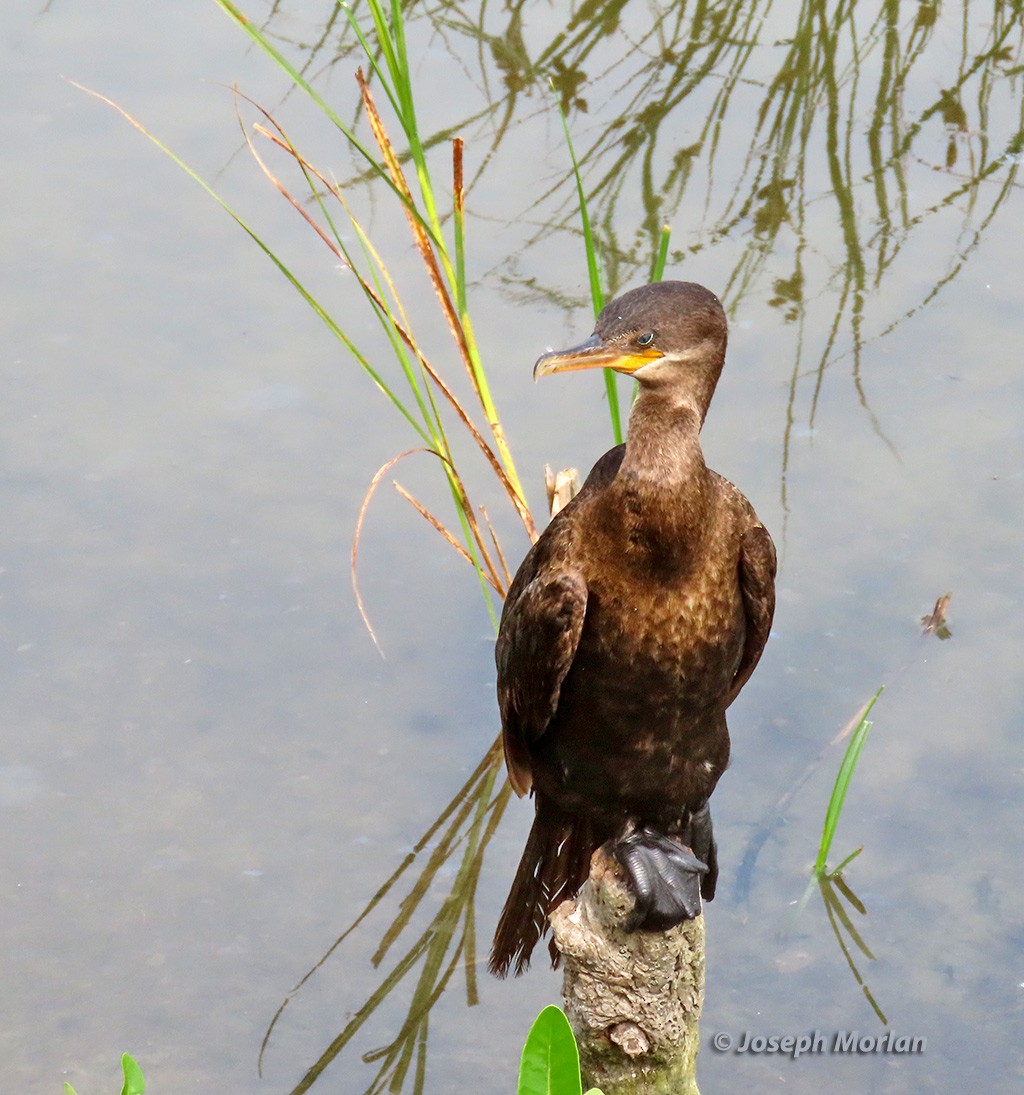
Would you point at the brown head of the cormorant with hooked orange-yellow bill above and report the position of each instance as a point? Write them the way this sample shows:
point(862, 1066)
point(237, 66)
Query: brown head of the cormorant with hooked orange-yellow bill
point(670, 336)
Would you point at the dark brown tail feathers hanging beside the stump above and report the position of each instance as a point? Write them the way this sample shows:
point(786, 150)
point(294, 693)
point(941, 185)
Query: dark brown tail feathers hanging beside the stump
point(556, 863)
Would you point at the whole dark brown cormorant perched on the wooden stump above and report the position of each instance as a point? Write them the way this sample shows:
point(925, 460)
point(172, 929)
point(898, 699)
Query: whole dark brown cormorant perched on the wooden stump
point(630, 628)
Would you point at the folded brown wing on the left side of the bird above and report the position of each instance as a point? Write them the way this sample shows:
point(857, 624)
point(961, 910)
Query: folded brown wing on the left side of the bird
point(540, 631)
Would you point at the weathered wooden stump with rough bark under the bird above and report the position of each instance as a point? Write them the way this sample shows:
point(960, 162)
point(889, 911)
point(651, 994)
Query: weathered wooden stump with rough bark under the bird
point(634, 999)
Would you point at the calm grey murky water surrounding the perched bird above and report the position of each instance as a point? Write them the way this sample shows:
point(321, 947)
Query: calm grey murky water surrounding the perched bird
point(208, 771)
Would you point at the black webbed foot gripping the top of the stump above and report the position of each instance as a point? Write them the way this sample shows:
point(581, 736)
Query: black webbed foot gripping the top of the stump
point(666, 880)
